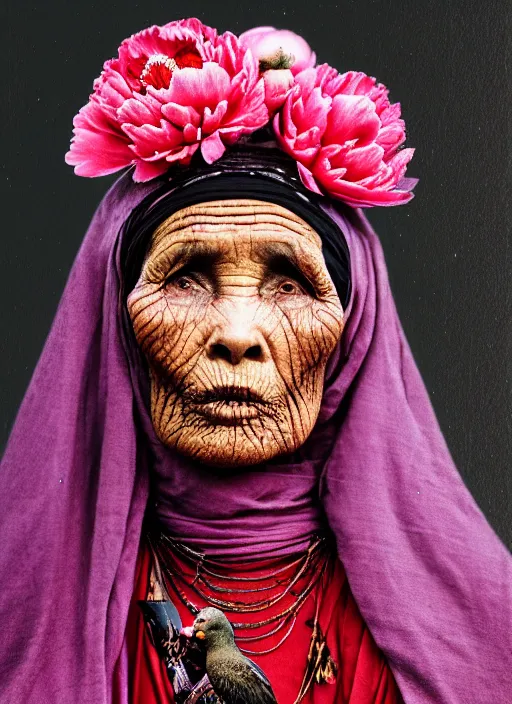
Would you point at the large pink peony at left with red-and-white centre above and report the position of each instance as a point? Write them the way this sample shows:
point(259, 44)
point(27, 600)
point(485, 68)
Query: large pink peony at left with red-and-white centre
point(171, 91)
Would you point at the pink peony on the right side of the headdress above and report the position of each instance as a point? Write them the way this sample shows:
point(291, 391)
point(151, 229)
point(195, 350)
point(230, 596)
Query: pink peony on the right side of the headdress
point(345, 135)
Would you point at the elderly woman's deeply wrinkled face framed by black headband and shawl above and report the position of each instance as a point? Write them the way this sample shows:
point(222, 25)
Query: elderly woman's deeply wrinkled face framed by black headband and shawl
point(236, 314)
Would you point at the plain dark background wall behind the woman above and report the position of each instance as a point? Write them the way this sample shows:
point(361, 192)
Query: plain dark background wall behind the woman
point(448, 251)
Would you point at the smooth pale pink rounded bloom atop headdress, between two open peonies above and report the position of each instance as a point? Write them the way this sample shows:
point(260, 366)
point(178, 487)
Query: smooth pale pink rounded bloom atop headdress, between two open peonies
point(267, 43)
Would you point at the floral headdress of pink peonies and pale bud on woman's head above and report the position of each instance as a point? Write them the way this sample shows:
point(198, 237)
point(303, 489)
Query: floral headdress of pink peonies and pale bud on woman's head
point(182, 90)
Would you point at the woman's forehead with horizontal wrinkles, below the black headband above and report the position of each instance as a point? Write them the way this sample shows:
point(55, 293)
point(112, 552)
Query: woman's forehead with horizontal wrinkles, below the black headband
point(225, 219)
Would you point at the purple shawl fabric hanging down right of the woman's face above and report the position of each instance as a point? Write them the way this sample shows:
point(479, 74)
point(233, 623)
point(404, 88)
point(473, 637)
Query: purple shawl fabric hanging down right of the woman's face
point(431, 578)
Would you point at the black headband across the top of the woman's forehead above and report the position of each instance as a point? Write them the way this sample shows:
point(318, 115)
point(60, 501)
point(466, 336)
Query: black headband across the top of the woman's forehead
point(206, 187)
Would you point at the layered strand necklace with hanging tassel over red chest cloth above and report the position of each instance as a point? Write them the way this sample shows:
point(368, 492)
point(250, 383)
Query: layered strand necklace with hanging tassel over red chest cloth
point(275, 589)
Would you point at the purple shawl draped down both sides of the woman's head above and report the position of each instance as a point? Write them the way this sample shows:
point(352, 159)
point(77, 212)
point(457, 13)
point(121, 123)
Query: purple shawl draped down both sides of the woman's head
point(432, 580)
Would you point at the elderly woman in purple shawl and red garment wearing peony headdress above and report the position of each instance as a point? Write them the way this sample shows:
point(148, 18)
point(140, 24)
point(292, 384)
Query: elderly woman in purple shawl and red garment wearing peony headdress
point(227, 412)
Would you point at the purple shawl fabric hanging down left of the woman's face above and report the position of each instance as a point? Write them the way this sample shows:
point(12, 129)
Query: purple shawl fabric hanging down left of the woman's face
point(74, 490)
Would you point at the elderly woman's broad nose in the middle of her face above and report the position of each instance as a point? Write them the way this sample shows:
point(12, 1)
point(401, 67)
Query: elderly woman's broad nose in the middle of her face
point(236, 340)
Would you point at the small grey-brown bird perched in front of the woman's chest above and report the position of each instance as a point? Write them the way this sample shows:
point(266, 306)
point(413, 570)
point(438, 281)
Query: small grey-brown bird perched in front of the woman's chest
point(235, 679)
